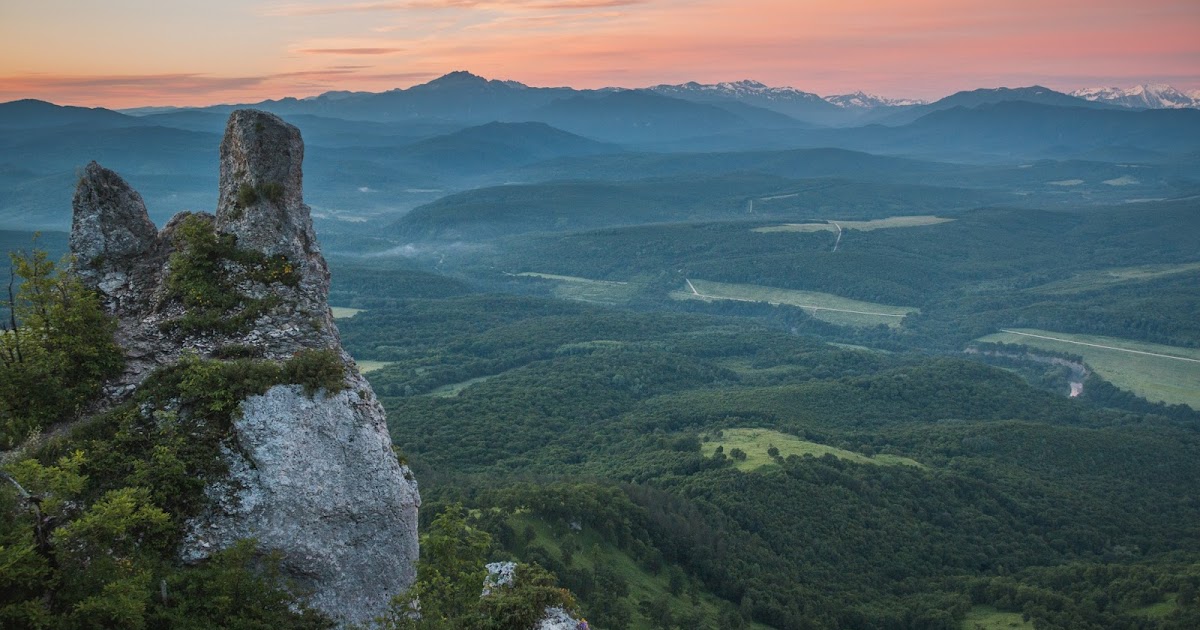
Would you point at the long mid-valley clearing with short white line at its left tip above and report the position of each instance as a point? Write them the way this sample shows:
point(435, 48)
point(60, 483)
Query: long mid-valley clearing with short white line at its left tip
point(825, 307)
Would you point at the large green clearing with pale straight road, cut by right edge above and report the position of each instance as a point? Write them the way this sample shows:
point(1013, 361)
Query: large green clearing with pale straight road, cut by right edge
point(1160, 374)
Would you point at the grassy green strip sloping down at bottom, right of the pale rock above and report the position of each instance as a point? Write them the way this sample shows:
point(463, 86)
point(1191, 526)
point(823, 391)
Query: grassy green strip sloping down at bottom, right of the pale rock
point(593, 551)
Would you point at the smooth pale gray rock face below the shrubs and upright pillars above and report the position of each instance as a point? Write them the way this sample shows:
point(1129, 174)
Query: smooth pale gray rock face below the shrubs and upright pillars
point(317, 479)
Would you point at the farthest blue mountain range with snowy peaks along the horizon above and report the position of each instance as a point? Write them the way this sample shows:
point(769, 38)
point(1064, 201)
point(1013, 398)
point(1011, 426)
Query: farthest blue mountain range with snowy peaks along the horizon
point(465, 98)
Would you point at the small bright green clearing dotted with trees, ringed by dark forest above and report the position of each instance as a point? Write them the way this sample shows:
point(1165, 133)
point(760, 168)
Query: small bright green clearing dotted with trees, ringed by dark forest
point(757, 443)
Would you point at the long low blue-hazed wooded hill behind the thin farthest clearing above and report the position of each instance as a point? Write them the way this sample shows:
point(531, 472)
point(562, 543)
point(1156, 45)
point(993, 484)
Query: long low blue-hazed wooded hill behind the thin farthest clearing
point(561, 207)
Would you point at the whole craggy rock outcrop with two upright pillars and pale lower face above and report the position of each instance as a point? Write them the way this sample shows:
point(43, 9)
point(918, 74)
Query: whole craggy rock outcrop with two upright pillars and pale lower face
point(311, 477)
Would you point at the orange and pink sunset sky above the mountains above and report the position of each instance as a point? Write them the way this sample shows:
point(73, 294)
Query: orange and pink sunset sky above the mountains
point(131, 53)
